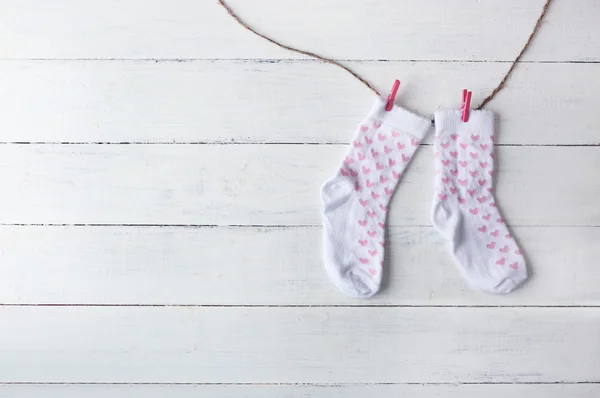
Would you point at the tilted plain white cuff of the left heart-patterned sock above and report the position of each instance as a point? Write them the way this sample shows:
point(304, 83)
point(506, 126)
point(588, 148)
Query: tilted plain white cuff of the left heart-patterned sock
point(400, 119)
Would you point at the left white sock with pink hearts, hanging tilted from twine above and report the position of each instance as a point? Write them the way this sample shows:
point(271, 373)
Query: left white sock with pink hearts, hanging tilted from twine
point(356, 199)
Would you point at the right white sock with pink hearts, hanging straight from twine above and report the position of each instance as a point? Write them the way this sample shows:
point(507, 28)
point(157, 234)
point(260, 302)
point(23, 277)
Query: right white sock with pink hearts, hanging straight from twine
point(464, 208)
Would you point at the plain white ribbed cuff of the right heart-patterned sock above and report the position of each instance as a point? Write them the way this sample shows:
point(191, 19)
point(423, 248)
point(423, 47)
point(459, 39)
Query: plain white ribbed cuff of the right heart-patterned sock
point(450, 122)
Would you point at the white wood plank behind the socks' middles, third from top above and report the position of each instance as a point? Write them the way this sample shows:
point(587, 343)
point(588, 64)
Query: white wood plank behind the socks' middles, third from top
point(264, 184)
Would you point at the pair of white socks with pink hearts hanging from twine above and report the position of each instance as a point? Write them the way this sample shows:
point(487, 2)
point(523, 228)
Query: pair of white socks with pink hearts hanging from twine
point(464, 211)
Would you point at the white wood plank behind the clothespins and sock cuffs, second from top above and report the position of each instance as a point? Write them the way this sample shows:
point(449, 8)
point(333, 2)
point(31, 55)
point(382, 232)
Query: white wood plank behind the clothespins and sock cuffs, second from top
point(250, 101)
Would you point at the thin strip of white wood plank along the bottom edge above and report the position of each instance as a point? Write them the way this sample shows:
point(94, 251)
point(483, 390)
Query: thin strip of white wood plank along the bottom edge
point(294, 391)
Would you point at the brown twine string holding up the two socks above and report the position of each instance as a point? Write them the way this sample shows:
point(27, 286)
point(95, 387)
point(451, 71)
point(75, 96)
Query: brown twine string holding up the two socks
point(490, 97)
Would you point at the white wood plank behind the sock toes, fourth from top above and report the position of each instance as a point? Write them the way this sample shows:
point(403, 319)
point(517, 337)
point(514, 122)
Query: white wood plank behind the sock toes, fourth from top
point(271, 266)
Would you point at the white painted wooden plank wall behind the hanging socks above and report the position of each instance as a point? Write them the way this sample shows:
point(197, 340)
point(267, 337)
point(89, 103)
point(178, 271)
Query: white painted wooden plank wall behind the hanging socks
point(160, 225)
